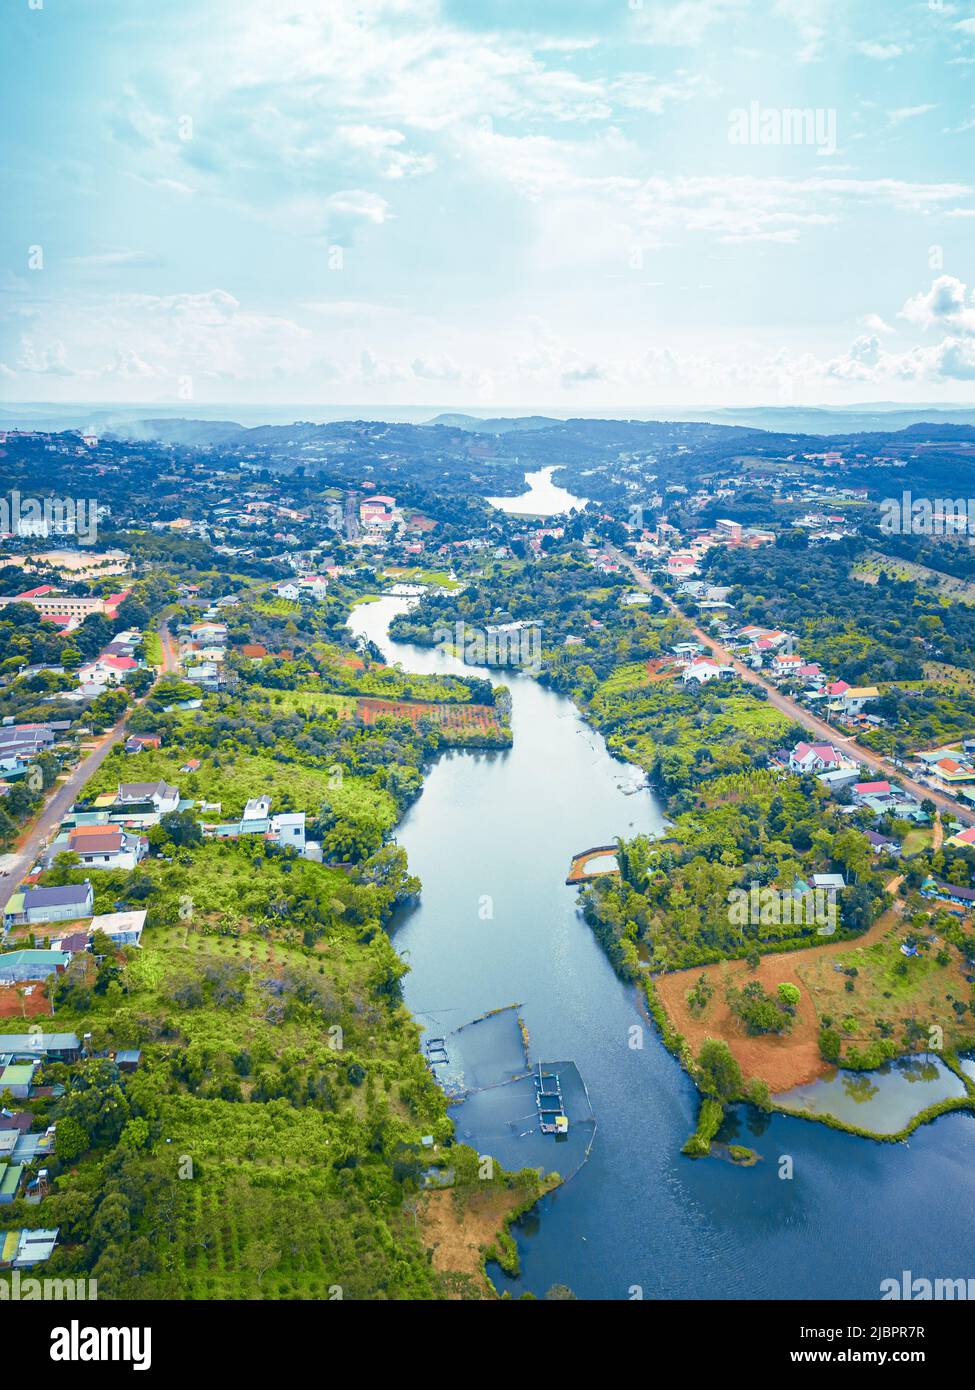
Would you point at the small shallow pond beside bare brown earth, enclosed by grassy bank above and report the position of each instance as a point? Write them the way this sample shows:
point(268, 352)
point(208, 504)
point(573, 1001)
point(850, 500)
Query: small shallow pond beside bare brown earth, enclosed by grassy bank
point(883, 1102)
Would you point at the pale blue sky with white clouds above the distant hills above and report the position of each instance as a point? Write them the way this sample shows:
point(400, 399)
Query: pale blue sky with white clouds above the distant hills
point(570, 205)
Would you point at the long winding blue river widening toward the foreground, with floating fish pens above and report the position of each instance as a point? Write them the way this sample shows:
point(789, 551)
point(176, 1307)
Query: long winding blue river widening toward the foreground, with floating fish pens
point(496, 831)
